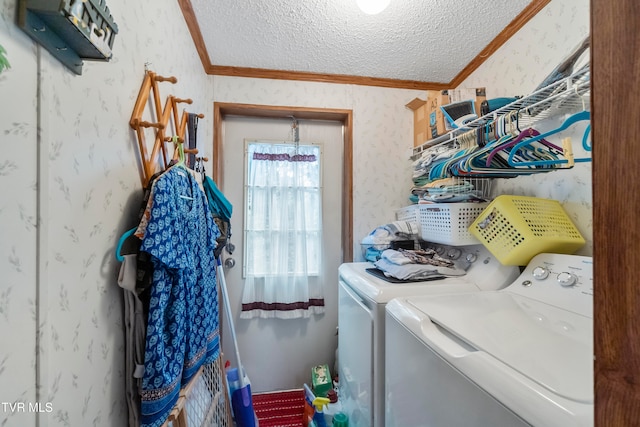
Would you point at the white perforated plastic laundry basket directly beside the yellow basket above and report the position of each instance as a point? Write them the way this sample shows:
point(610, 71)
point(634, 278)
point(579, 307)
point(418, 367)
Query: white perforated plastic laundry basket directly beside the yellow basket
point(448, 223)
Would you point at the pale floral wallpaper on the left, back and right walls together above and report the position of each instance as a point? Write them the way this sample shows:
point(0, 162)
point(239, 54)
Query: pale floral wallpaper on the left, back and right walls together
point(70, 186)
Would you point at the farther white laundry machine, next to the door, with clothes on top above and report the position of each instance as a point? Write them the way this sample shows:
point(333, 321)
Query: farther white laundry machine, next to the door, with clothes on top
point(361, 315)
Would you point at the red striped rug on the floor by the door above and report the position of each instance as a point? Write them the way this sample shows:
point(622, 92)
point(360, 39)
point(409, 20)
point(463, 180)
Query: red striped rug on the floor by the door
point(279, 408)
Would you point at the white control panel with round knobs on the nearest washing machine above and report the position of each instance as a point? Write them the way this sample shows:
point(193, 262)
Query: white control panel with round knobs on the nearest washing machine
point(565, 281)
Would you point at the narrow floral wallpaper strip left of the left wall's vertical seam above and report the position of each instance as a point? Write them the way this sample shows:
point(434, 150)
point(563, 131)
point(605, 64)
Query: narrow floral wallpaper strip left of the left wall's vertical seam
point(18, 213)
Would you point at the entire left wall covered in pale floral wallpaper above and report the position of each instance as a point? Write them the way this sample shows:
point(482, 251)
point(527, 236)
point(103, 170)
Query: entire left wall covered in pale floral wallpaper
point(89, 195)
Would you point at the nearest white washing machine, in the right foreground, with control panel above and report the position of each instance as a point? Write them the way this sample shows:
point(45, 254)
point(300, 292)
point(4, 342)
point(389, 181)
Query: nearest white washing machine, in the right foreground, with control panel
point(520, 356)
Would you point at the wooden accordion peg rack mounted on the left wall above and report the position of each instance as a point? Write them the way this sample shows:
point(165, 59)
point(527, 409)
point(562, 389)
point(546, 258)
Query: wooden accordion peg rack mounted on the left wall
point(165, 116)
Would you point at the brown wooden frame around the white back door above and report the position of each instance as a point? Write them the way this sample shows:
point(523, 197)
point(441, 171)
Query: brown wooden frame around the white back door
point(223, 109)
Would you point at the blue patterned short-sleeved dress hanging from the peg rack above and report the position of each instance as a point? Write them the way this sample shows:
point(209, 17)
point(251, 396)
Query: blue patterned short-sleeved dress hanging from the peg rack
point(182, 327)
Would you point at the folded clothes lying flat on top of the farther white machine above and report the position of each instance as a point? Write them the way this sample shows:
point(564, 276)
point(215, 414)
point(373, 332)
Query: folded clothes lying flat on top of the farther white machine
point(419, 264)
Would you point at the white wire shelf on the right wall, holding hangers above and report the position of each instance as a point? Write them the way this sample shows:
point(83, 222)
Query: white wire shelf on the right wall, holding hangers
point(566, 95)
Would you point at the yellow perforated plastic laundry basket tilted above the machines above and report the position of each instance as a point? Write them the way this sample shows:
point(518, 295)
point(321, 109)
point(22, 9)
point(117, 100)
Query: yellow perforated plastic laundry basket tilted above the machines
point(516, 228)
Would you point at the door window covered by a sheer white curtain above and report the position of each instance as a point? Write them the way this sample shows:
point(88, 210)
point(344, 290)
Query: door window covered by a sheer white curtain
point(283, 210)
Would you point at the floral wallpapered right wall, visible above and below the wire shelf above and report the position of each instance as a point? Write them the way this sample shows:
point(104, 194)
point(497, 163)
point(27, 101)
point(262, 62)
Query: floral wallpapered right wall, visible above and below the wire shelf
point(517, 68)
